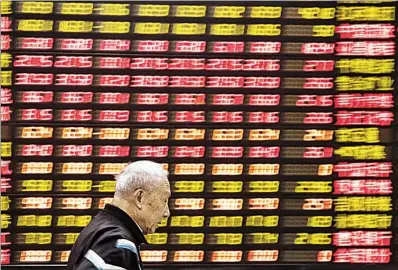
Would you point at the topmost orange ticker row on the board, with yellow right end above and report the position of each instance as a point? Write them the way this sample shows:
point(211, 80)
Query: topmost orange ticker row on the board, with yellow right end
point(342, 135)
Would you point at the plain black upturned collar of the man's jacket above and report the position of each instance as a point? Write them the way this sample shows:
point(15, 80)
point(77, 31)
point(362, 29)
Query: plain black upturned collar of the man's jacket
point(127, 221)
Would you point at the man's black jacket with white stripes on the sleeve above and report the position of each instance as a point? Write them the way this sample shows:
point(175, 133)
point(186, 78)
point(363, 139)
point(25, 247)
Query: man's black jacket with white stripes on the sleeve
point(110, 241)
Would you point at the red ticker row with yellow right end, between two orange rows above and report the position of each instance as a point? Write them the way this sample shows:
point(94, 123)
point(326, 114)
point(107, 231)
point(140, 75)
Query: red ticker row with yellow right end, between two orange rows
point(358, 152)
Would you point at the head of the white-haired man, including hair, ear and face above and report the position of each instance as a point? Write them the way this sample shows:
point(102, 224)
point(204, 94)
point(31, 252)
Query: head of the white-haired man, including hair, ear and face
point(143, 191)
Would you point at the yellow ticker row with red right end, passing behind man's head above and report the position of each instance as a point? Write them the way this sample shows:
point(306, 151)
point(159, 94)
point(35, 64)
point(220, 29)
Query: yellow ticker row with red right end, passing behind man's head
point(194, 187)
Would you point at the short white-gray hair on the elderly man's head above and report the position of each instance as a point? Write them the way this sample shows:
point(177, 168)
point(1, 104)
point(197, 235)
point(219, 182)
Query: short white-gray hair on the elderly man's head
point(142, 174)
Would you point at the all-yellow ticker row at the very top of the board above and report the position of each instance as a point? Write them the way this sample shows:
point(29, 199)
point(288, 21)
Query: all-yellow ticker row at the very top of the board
point(341, 13)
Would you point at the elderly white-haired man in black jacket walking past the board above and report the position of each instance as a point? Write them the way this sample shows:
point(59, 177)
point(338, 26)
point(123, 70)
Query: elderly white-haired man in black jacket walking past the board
point(113, 237)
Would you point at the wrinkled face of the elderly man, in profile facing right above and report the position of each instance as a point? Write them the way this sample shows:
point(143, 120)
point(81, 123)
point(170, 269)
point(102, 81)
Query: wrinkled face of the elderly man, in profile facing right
point(156, 206)
